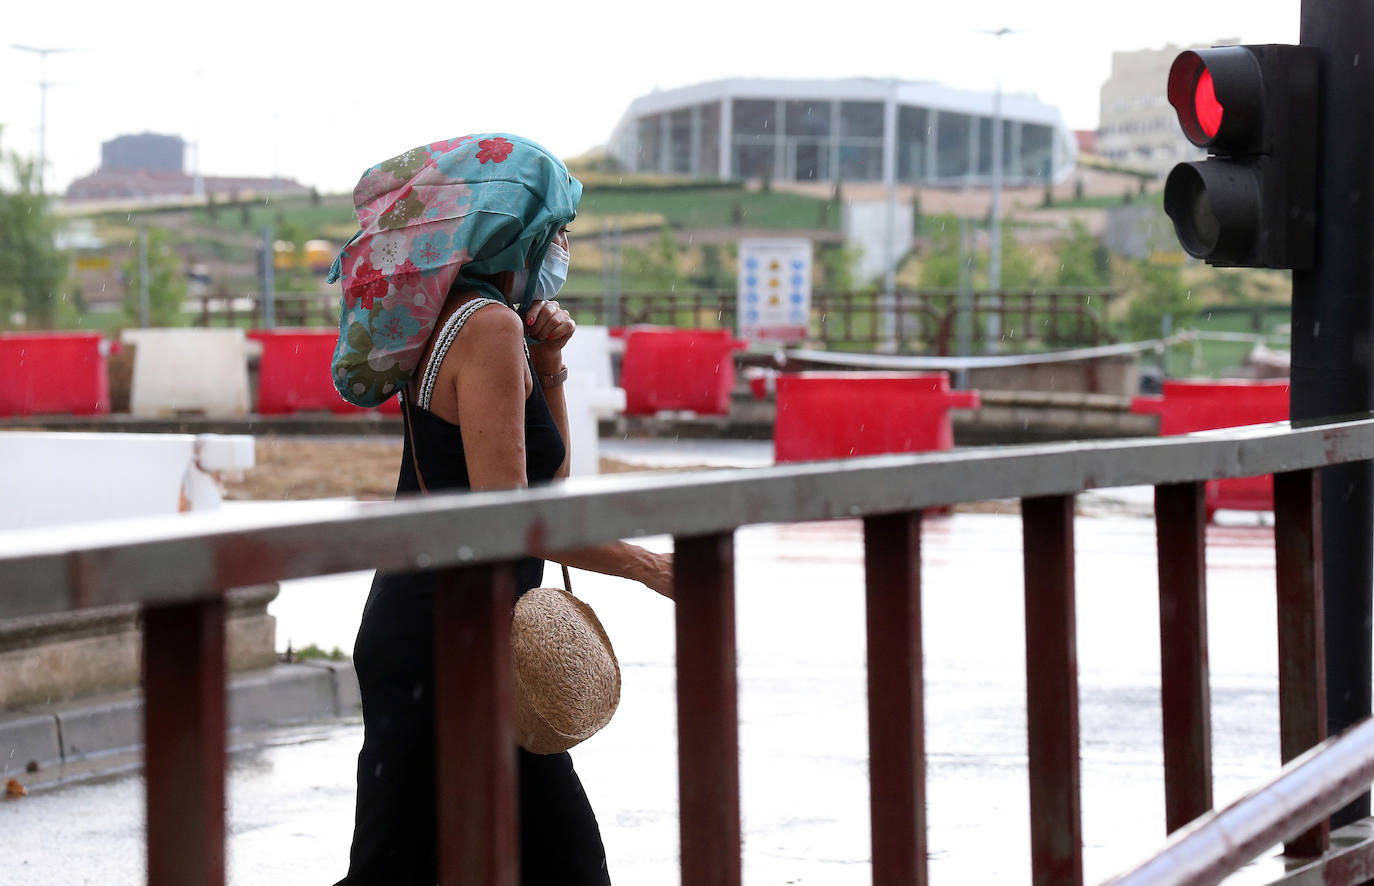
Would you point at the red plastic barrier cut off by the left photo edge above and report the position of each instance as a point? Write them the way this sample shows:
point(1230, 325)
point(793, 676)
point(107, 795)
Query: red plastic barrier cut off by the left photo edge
point(47, 373)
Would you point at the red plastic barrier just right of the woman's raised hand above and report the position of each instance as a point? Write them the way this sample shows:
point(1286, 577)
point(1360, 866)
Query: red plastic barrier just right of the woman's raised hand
point(678, 370)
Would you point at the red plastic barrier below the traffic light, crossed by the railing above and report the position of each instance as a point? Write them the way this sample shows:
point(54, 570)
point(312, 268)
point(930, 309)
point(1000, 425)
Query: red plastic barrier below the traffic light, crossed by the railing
point(1188, 407)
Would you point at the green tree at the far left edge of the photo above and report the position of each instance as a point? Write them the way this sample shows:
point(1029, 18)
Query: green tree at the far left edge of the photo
point(32, 269)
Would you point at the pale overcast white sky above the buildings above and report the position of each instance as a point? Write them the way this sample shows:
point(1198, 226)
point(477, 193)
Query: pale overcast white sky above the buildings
point(319, 93)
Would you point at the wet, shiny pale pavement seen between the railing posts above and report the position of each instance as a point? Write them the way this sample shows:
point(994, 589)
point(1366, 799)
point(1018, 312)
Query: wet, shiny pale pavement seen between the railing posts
point(803, 716)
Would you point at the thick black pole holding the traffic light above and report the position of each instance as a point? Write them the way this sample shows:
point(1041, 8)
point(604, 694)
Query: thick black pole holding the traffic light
point(1333, 344)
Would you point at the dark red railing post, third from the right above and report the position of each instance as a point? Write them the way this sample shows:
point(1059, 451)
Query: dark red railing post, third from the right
point(1052, 693)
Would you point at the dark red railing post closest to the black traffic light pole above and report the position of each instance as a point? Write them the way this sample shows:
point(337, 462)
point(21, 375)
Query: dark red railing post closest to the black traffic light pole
point(1298, 554)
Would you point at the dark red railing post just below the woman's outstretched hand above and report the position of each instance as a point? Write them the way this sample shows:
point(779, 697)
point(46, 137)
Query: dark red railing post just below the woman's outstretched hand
point(708, 720)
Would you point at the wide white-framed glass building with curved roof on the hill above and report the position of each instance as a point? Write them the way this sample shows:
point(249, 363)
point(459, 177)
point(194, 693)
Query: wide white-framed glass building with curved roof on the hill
point(847, 130)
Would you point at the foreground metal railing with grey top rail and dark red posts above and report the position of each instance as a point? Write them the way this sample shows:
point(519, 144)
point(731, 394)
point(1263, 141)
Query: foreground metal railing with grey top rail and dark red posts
point(179, 571)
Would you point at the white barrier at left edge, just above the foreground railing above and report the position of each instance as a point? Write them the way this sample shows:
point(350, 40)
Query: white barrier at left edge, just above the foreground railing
point(54, 479)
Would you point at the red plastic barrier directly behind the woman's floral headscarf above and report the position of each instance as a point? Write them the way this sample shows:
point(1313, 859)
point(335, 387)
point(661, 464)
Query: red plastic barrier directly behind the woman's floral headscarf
point(295, 374)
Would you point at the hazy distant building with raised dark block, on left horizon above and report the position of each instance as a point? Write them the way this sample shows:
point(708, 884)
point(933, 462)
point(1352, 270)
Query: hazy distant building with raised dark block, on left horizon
point(150, 167)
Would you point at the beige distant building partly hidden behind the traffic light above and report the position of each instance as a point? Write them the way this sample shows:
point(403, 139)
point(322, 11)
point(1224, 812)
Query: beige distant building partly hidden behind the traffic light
point(1137, 126)
